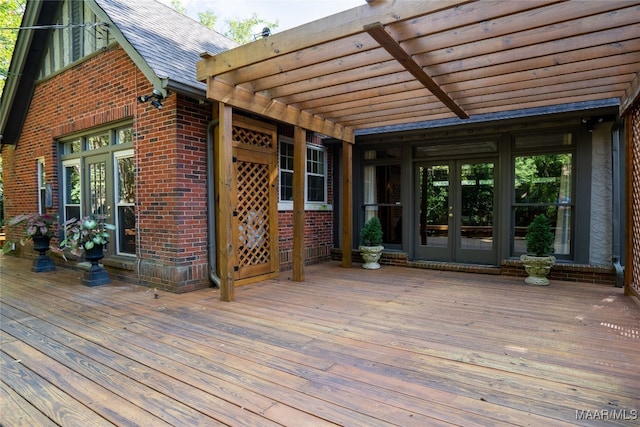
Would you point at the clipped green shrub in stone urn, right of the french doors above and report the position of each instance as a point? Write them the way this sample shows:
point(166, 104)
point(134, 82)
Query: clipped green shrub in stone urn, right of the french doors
point(539, 240)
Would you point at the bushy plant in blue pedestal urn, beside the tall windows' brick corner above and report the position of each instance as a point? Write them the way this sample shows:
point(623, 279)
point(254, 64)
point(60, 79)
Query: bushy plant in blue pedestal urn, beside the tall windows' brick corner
point(88, 236)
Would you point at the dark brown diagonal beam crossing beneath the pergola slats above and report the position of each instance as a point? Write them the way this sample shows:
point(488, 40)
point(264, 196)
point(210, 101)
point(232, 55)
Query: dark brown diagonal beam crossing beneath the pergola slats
point(386, 41)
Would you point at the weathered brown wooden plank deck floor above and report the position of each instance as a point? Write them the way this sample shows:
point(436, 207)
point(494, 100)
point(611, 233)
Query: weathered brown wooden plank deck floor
point(398, 346)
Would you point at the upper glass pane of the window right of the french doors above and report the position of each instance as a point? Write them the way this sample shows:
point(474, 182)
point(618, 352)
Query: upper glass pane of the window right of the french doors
point(543, 178)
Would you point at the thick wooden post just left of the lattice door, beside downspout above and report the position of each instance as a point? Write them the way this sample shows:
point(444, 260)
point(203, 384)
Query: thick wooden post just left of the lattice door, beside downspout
point(223, 152)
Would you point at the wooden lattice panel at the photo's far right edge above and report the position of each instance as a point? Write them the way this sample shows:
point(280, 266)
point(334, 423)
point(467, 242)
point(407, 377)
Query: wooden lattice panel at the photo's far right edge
point(633, 263)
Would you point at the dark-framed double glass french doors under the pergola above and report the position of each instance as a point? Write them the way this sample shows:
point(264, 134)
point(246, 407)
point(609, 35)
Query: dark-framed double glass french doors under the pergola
point(455, 203)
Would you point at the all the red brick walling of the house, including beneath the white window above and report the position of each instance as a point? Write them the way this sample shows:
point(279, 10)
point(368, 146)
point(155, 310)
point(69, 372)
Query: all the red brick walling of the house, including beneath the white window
point(172, 177)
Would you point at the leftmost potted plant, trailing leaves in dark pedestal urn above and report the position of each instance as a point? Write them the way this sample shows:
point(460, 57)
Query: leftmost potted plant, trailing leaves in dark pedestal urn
point(39, 228)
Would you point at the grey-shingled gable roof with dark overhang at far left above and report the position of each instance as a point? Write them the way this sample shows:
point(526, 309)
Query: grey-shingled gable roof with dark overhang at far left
point(162, 42)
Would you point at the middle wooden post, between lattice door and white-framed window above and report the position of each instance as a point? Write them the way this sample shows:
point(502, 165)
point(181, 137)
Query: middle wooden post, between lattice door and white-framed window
point(299, 168)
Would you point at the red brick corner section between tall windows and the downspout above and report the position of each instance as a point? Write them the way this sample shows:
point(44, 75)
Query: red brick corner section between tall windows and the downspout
point(172, 195)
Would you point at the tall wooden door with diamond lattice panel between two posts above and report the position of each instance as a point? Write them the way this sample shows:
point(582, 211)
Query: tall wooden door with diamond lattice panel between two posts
point(255, 221)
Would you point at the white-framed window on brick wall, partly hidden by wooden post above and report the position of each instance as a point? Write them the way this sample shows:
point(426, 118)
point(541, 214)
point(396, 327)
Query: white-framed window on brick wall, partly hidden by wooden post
point(315, 176)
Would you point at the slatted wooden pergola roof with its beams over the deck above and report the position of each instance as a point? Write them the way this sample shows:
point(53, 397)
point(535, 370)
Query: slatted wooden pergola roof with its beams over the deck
point(395, 62)
